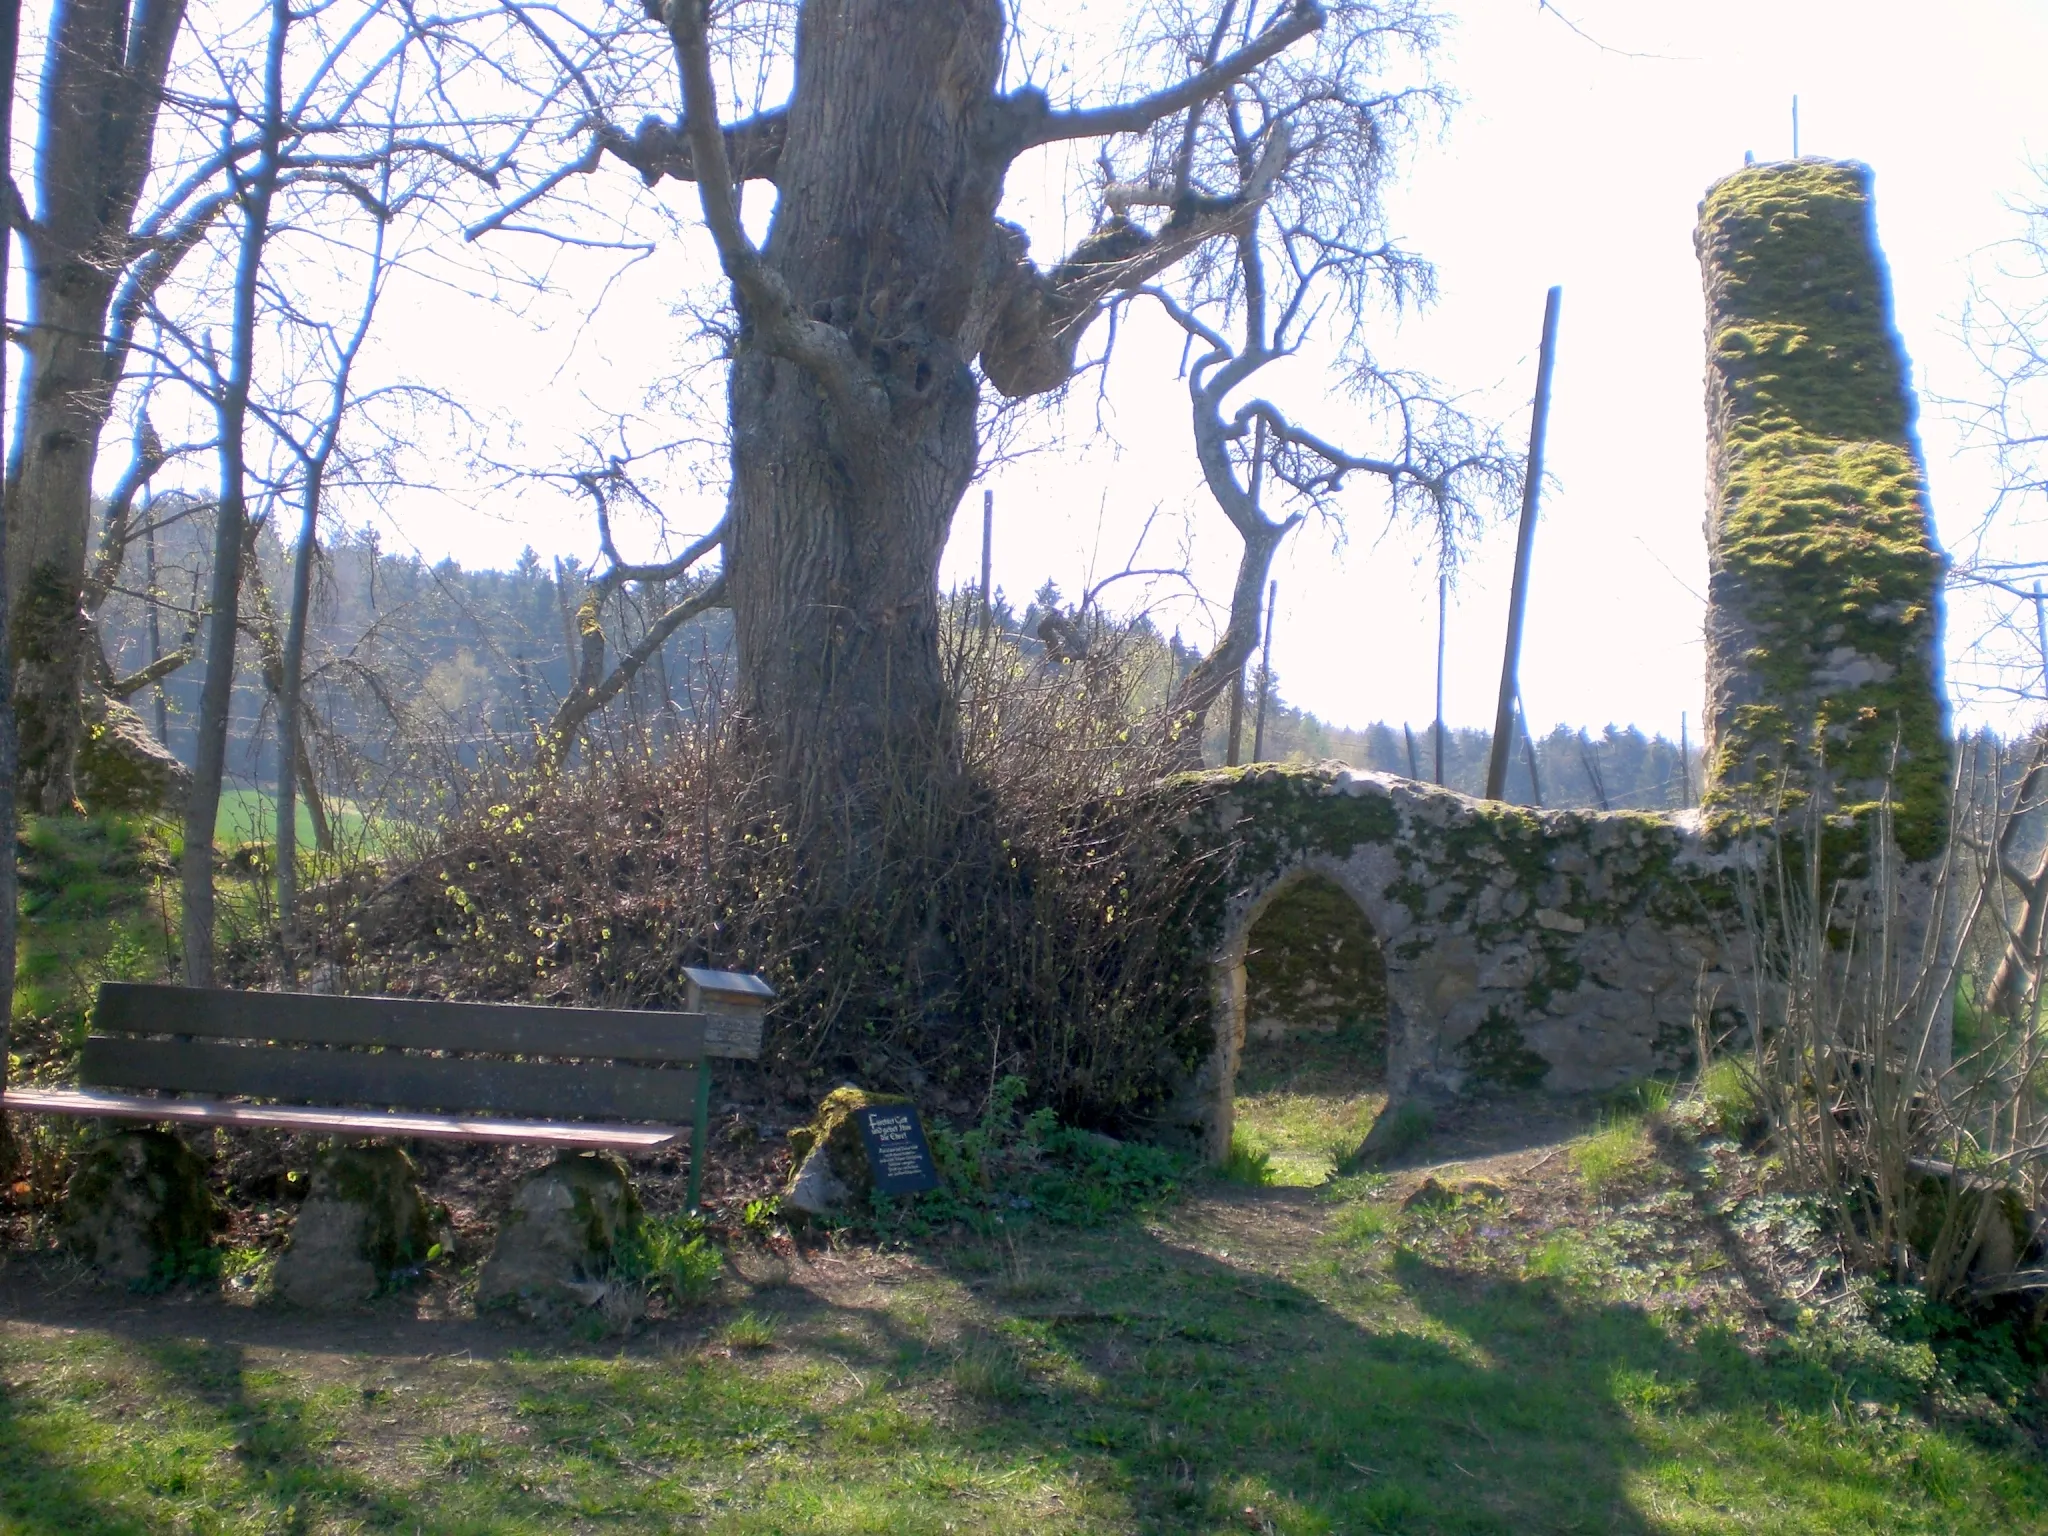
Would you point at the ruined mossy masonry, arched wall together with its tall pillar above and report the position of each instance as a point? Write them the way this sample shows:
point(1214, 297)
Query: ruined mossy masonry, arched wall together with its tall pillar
point(1574, 949)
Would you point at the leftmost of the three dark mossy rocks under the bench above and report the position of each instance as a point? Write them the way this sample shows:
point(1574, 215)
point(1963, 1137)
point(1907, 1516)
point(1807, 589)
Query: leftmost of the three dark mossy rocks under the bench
point(138, 1207)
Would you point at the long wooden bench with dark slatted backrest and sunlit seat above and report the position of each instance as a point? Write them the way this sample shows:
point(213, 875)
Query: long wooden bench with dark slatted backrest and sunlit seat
point(411, 1068)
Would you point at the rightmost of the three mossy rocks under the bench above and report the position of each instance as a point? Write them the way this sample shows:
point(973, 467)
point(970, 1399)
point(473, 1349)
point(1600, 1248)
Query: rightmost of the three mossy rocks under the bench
point(560, 1242)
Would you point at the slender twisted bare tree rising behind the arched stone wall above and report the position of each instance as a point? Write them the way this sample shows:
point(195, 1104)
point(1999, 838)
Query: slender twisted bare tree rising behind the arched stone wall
point(1312, 263)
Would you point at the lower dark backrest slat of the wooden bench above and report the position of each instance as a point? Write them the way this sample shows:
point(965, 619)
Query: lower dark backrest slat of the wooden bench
point(392, 1078)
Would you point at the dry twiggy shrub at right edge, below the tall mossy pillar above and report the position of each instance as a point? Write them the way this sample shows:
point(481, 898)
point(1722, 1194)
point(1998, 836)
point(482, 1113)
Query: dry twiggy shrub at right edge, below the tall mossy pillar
point(1920, 1117)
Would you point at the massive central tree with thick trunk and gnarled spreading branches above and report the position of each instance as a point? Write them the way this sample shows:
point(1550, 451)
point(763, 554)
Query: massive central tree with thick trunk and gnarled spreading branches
point(865, 325)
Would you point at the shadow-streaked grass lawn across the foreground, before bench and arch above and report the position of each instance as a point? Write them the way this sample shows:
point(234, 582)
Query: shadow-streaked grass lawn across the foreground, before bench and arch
point(1568, 1345)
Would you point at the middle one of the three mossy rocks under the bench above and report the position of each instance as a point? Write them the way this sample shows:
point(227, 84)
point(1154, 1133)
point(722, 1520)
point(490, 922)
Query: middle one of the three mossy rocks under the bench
point(361, 1228)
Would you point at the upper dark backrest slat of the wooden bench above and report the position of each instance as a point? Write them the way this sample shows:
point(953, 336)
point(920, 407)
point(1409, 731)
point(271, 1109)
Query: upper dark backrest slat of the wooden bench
point(501, 1029)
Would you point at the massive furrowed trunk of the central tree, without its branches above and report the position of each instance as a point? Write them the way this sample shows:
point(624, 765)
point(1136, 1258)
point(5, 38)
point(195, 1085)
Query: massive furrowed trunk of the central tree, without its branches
point(888, 196)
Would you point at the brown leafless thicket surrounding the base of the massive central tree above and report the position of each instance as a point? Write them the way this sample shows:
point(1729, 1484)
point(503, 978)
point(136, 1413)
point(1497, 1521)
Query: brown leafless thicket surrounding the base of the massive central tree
point(1033, 923)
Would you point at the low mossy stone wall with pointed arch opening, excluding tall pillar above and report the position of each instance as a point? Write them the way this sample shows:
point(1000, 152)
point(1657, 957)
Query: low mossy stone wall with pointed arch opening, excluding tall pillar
point(1523, 949)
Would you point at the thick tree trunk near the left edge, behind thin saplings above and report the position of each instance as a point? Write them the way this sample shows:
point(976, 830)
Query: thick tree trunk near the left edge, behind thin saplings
point(103, 79)
